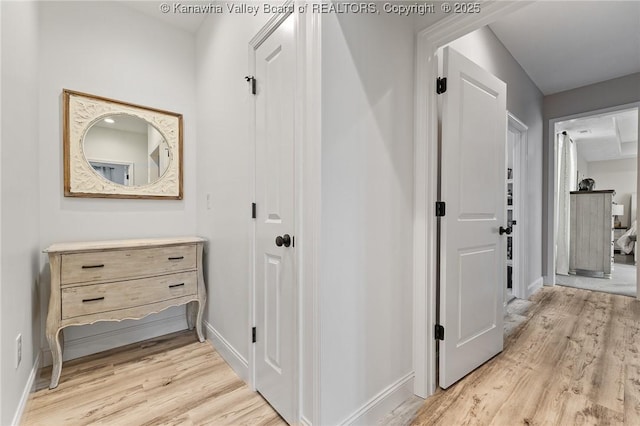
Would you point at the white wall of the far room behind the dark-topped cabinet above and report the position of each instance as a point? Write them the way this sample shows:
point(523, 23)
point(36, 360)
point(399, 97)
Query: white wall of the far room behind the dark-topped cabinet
point(619, 175)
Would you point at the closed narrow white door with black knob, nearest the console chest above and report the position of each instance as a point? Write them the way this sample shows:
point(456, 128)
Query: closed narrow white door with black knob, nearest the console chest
point(274, 263)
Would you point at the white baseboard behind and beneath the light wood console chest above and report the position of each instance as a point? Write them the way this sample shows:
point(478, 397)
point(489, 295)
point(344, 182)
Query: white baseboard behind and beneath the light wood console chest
point(137, 332)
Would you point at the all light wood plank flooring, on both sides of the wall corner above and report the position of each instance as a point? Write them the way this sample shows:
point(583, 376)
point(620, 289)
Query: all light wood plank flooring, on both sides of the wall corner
point(575, 360)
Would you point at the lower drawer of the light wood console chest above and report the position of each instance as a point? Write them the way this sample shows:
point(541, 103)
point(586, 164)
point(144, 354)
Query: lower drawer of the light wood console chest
point(96, 298)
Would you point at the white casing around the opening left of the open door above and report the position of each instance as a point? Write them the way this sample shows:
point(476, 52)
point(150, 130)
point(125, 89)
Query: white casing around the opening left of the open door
point(426, 180)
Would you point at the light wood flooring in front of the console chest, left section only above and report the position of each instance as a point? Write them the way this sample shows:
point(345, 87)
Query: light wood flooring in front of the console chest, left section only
point(170, 380)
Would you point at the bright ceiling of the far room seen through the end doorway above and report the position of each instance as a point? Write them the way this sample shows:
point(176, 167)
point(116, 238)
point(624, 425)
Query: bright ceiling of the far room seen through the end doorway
point(602, 137)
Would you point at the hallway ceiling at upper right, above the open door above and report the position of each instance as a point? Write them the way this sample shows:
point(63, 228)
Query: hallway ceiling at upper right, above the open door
point(563, 45)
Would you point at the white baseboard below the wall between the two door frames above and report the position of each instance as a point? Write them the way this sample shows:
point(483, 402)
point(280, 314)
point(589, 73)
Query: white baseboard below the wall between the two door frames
point(383, 403)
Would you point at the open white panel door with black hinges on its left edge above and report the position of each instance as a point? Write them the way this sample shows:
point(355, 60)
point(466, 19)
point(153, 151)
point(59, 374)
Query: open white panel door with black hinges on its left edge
point(473, 185)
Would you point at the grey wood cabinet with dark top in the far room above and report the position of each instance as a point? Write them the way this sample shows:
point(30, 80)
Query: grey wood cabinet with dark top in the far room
point(591, 233)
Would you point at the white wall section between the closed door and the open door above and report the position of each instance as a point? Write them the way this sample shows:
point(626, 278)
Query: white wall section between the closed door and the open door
point(367, 208)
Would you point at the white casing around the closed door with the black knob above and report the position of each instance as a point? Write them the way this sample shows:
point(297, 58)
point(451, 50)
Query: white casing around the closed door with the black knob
point(307, 194)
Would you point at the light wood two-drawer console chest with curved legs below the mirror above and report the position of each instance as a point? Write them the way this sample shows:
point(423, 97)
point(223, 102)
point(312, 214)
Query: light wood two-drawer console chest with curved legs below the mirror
point(118, 280)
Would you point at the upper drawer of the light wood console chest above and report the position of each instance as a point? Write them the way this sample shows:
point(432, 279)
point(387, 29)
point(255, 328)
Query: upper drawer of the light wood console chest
point(119, 264)
